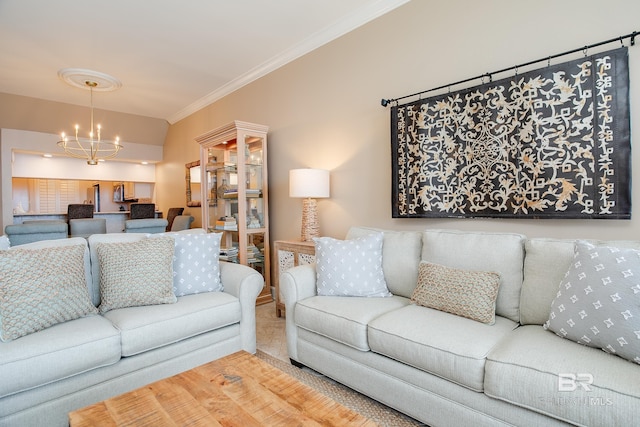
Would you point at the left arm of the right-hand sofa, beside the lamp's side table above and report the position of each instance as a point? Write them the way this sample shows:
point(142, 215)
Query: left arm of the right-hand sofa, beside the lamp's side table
point(296, 284)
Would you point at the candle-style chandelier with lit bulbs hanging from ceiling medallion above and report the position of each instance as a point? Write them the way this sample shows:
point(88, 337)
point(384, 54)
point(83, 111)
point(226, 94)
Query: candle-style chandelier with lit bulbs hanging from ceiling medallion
point(93, 148)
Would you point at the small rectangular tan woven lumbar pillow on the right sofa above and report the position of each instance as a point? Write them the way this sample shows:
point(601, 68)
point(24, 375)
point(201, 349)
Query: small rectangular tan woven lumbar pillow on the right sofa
point(470, 294)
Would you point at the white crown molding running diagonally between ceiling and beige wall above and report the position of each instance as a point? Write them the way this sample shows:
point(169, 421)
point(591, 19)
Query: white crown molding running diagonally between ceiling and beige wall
point(332, 32)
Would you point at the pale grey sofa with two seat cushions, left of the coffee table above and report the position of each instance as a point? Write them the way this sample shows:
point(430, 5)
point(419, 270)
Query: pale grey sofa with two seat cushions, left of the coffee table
point(74, 363)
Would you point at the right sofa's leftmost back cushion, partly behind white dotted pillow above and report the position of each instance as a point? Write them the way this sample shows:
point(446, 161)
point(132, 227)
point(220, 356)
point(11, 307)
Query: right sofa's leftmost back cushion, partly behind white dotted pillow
point(401, 251)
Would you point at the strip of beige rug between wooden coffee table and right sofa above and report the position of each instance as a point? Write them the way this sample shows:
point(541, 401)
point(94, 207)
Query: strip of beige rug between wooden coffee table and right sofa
point(381, 414)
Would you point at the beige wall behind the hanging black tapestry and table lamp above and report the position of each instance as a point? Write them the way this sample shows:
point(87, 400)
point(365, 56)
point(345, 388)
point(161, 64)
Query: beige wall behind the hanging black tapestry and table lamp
point(324, 109)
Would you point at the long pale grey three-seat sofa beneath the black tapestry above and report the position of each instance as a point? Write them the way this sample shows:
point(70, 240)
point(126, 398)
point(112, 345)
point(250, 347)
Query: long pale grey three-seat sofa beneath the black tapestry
point(444, 369)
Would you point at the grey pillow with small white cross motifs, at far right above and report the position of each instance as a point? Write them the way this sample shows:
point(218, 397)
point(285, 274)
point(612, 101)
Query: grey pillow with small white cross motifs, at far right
point(598, 302)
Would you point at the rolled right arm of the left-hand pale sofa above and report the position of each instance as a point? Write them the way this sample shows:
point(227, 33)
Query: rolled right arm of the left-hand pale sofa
point(244, 283)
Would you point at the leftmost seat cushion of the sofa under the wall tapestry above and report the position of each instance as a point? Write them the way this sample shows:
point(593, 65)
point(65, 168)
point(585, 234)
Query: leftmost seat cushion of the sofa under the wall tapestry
point(344, 319)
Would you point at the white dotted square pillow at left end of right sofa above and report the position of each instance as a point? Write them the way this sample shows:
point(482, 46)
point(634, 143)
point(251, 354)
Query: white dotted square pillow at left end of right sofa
point(351, 267)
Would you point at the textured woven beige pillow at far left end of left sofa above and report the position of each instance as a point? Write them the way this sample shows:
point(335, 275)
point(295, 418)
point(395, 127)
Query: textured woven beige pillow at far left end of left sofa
point(40, 288)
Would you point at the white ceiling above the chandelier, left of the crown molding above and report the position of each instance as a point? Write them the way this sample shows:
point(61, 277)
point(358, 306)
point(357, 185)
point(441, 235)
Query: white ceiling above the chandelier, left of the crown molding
point(173, 57)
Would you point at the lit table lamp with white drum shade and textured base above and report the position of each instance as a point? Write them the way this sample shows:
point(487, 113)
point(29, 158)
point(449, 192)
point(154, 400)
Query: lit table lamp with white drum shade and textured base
point(309, 184)
